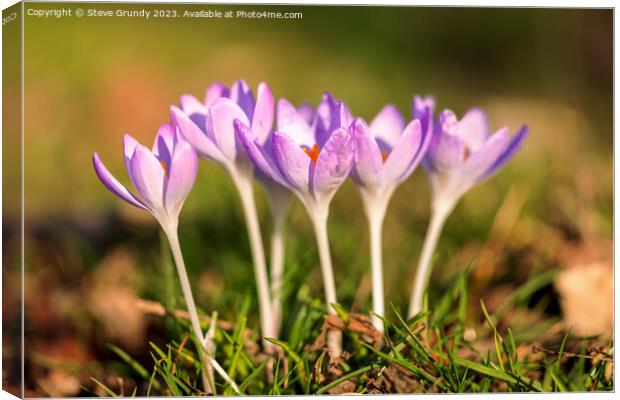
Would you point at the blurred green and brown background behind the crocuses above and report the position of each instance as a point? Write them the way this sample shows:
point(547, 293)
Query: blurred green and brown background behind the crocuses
point(90, 256)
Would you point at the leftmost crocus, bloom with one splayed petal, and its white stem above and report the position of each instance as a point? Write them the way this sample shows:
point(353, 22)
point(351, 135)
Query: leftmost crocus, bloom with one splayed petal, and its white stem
point(163, 178)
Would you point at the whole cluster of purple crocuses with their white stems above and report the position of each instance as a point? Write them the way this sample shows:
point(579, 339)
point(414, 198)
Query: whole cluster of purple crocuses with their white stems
point(310, 152)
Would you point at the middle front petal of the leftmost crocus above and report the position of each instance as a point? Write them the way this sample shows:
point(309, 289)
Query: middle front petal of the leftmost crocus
point(149, 178)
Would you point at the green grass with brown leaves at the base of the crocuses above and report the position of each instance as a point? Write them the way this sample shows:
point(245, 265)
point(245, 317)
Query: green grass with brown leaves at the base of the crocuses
point(428, 353)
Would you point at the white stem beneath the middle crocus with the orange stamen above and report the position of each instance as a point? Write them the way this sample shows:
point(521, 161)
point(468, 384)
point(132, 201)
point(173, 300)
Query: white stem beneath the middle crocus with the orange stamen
point(319, 221)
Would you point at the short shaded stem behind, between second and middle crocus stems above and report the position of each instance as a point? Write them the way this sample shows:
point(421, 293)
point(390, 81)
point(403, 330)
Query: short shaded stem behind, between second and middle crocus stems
point(277, 265)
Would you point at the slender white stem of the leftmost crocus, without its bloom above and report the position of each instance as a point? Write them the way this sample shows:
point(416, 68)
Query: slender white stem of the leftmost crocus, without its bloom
point(175, 248)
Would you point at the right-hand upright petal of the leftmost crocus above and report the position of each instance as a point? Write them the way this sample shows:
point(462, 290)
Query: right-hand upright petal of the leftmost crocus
point(183, 169)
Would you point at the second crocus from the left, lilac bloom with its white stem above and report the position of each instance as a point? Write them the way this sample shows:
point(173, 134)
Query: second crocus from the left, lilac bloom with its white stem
point(208, 127)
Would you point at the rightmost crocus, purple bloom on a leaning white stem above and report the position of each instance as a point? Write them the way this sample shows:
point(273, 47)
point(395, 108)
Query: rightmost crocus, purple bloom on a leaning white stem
point(462, 154)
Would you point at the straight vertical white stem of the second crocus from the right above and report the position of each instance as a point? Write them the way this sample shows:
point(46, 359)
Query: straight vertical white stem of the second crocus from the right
point(375, 208)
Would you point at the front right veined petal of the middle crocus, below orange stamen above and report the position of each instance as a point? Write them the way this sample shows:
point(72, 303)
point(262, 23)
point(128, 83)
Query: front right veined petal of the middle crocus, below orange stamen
point(333, 164)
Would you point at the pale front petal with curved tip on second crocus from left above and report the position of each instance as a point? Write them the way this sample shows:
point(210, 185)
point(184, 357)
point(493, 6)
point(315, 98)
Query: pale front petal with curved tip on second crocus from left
point(222, 114)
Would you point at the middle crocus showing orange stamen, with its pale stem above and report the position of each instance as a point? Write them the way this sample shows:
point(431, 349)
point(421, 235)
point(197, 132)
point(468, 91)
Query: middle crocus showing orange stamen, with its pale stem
point(312, 159)
